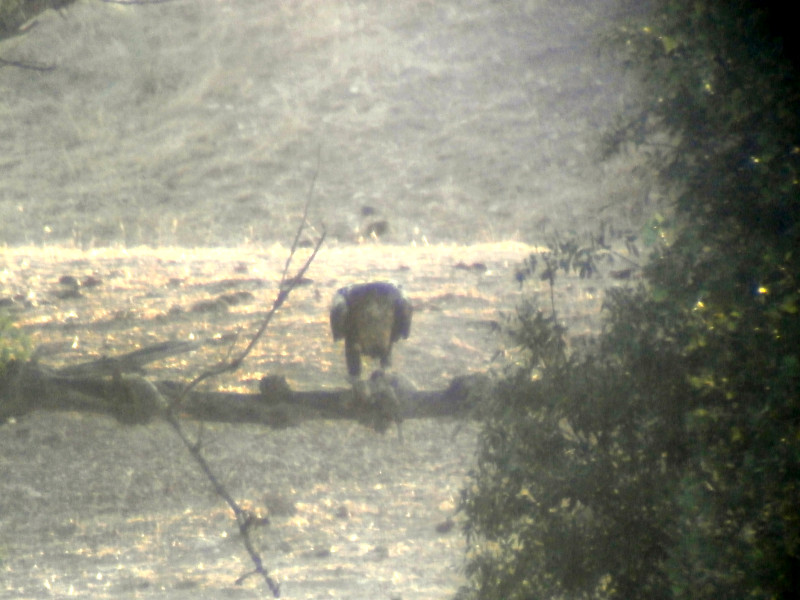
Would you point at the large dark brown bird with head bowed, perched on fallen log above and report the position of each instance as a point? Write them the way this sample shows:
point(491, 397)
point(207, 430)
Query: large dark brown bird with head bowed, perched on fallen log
point(370, 317)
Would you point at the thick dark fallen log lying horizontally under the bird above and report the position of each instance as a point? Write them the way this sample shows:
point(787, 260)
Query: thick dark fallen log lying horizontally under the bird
point(133, 399)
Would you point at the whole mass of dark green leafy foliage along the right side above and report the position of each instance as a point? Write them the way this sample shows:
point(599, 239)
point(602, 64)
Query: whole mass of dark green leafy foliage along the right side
point(666, 464)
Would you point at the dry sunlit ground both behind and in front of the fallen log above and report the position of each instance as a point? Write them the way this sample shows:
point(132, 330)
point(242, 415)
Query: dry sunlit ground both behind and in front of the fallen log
point(91, 506)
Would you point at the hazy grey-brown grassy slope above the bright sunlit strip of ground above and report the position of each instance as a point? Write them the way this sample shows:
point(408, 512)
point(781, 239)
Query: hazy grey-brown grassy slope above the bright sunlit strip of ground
point(200, 122)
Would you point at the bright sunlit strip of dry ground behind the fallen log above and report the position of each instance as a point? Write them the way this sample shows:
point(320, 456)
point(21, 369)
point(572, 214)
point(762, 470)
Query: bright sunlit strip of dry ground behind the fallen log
point(144, 296)
